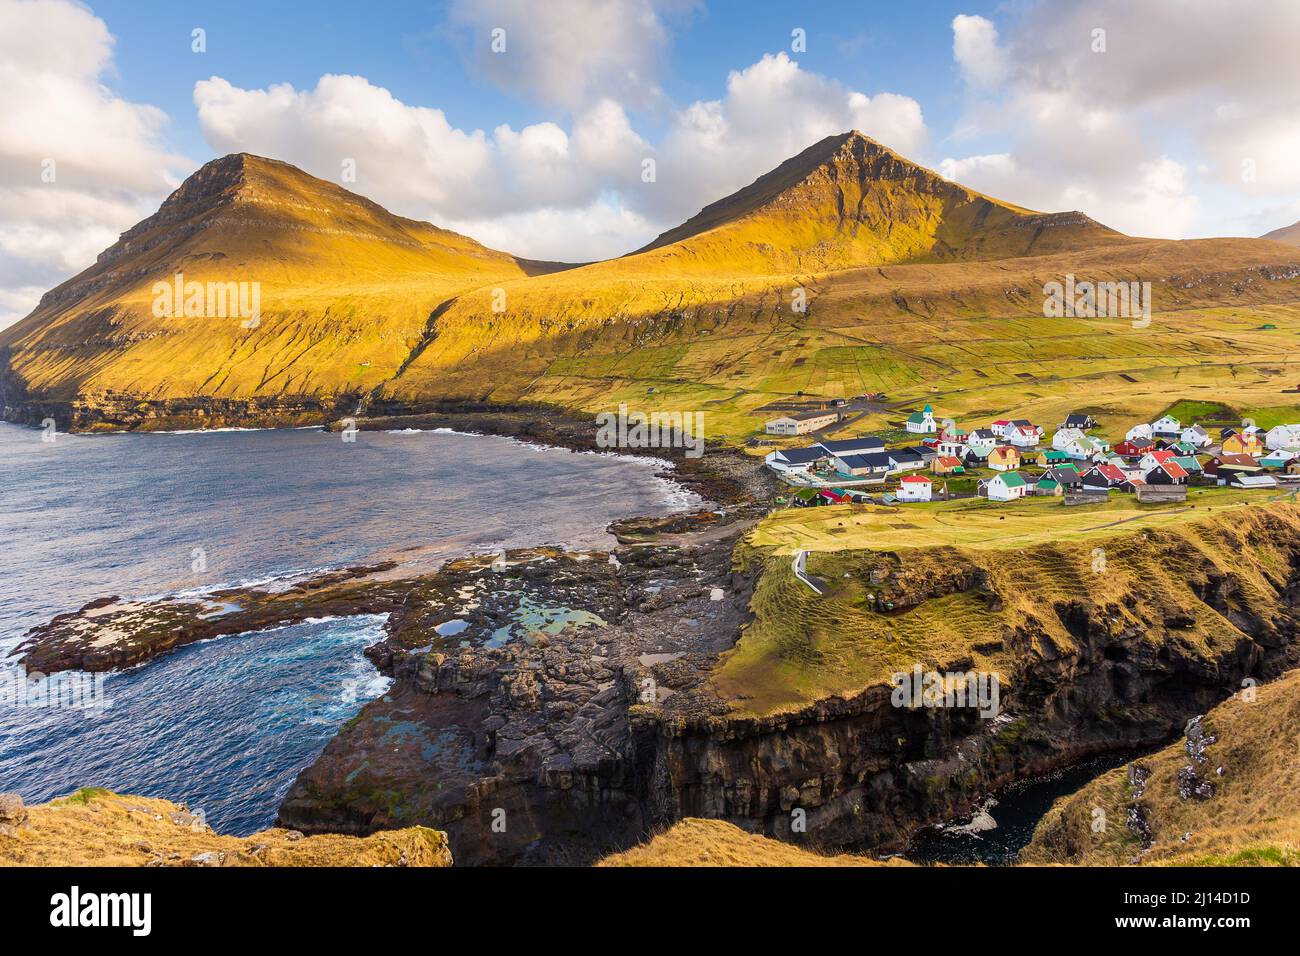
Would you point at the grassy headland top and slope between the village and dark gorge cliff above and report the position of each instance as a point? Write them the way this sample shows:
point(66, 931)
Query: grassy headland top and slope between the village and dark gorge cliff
point(947, 589)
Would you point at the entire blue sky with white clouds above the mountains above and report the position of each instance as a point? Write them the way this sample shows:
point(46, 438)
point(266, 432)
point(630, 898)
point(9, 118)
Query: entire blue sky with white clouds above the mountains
point(1164, 118)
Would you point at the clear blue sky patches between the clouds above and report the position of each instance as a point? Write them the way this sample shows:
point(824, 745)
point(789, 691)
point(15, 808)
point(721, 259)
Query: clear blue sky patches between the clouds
point(410, 49)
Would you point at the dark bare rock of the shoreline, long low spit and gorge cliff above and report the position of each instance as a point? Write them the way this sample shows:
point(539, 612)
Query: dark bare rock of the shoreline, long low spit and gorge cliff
point(551, 707)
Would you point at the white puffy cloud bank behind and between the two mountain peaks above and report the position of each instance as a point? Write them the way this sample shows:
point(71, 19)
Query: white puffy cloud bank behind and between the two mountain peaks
point(528, 191)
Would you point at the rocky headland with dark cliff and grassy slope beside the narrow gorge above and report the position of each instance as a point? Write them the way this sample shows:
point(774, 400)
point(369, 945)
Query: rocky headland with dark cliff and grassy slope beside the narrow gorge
point(725, 689)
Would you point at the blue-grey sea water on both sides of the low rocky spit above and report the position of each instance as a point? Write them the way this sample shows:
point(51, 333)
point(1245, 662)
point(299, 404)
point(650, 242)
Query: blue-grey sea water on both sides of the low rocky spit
point(228, 724)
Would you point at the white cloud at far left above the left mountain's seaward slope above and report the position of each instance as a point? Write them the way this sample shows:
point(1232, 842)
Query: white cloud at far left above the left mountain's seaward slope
point(58, 114)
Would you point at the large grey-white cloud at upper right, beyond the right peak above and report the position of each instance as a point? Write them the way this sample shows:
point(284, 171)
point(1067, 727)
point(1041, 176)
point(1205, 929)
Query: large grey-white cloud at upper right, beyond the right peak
point(1189, 100)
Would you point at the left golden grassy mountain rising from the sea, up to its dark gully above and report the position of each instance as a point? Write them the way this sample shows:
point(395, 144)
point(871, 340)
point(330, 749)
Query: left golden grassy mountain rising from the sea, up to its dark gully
point(346, 291)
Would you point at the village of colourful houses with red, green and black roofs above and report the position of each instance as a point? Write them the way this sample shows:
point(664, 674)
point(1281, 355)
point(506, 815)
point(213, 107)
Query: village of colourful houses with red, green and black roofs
point(1011, 460)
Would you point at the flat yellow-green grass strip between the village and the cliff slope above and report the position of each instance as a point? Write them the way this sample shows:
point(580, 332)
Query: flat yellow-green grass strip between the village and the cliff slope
point(978, 524)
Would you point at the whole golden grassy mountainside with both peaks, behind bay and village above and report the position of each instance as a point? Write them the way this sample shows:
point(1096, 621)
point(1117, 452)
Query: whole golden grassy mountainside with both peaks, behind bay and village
point(916, 287)
